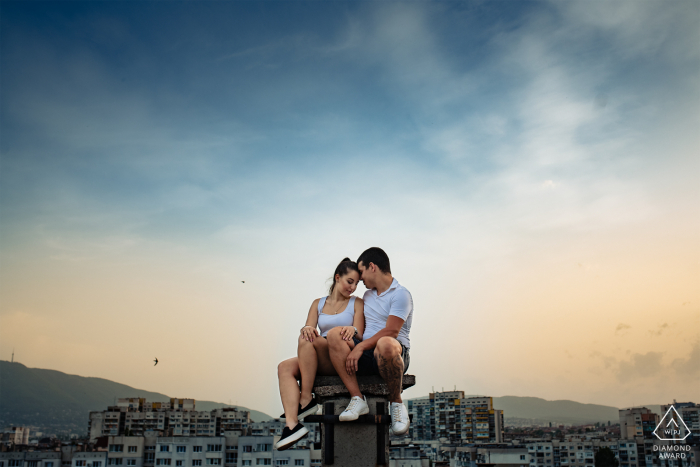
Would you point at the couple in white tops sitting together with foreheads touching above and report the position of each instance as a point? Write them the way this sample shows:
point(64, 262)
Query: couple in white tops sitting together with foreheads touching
point(367, 336)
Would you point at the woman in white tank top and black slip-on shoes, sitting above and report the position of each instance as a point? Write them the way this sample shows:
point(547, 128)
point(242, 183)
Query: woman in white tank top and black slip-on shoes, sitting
point(339, 308)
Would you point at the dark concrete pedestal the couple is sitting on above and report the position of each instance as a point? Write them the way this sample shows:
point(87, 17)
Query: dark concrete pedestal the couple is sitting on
point(364, 442)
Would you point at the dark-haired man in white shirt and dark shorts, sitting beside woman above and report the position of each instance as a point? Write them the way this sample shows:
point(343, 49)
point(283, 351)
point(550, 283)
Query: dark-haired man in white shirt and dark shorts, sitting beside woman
point(385, 344)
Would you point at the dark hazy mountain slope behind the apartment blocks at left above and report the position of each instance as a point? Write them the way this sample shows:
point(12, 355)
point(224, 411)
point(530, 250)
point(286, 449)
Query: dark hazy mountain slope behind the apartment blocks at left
point(58, 403)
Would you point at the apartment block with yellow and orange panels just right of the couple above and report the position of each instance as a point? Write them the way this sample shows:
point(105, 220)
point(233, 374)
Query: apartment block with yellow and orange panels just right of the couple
point(451, 417)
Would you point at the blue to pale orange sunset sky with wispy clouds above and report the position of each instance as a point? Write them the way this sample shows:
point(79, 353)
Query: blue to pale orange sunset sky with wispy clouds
point(532, 170)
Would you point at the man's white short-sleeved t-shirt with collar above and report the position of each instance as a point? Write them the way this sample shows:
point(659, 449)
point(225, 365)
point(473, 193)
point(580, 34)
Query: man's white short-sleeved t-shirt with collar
point(396, 301)
